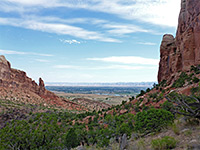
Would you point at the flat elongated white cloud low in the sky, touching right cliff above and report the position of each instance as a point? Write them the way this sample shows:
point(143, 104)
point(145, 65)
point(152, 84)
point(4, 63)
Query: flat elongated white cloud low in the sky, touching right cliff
point(127, 60)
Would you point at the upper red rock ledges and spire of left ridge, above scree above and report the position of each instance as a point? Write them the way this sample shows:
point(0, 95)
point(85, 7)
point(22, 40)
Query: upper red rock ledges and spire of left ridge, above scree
point(12, 78)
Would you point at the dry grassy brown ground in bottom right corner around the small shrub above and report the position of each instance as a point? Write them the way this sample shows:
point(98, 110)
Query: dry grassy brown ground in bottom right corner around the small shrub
point(186, 135)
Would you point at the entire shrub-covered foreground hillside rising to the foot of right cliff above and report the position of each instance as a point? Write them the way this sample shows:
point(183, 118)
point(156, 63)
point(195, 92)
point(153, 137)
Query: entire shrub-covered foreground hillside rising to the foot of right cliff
point(158, 118)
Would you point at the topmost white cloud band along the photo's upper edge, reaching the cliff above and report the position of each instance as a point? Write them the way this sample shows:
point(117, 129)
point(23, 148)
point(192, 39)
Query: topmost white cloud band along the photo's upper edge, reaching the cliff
point(159, 12)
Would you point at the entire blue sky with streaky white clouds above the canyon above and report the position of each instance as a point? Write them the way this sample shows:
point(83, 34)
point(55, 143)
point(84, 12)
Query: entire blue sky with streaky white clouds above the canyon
point(86, 40)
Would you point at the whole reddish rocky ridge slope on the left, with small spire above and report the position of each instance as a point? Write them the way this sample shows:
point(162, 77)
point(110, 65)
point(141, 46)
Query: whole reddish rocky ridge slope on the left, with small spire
point(16, 86)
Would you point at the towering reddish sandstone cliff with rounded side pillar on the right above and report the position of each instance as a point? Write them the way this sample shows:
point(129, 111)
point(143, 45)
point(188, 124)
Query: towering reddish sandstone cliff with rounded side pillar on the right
point(180, 53)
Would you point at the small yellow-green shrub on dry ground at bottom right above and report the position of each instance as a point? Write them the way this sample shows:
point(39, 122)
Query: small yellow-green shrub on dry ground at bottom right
point(164, 143)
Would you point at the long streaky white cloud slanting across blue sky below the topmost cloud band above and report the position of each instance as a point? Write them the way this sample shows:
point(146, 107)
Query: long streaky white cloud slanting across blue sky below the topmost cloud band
point(60, 26)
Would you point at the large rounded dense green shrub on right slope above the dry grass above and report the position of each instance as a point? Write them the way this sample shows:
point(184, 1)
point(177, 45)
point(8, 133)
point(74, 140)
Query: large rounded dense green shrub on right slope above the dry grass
point(152, 120)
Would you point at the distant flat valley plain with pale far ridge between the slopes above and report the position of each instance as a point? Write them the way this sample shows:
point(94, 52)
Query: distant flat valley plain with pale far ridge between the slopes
point(109, 93)
